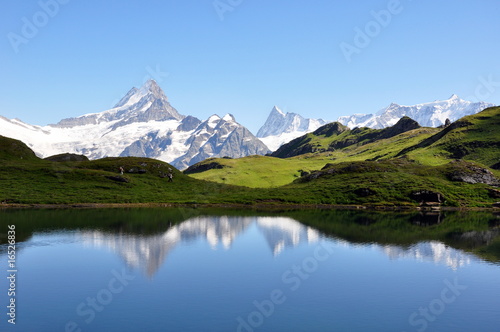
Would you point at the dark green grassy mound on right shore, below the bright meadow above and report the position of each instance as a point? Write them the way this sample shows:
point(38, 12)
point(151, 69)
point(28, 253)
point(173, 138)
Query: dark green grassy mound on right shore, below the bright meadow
point(392, 181)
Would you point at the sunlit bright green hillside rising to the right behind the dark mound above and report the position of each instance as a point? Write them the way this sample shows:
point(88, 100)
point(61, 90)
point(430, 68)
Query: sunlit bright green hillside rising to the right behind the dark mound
point(474, 138)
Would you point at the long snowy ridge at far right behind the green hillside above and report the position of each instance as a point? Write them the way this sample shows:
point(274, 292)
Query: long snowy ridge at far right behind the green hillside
point(433, 114)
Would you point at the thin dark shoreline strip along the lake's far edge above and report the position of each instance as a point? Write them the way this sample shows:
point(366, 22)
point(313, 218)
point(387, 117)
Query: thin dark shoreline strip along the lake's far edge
point(247, 206)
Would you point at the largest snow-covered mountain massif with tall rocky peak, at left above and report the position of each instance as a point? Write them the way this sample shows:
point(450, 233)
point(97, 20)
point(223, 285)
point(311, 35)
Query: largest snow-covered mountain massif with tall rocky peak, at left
point(143, 124)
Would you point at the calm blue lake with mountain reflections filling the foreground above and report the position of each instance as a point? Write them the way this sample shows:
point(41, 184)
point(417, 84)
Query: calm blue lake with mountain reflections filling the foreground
point(197, 270)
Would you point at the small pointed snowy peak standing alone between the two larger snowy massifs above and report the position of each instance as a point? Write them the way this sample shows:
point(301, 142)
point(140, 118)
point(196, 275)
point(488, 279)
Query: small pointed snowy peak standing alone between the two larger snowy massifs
point(281, 128)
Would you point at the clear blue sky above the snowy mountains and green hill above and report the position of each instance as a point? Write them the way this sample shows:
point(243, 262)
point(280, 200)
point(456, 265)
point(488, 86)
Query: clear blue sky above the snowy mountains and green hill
point(87, 54)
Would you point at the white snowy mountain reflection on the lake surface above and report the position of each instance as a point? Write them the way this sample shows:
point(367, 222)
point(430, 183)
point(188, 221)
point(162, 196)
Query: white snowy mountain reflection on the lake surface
point(148, 253)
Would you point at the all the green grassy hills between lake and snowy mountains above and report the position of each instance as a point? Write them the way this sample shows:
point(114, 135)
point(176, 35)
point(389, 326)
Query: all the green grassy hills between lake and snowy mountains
point(359, 167)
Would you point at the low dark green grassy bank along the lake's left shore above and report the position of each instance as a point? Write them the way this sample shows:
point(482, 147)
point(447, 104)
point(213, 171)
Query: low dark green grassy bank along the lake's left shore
point(42, 181)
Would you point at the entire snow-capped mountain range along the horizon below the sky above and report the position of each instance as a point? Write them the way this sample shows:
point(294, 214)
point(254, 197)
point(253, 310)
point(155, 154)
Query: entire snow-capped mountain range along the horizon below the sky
point(144, 124)
